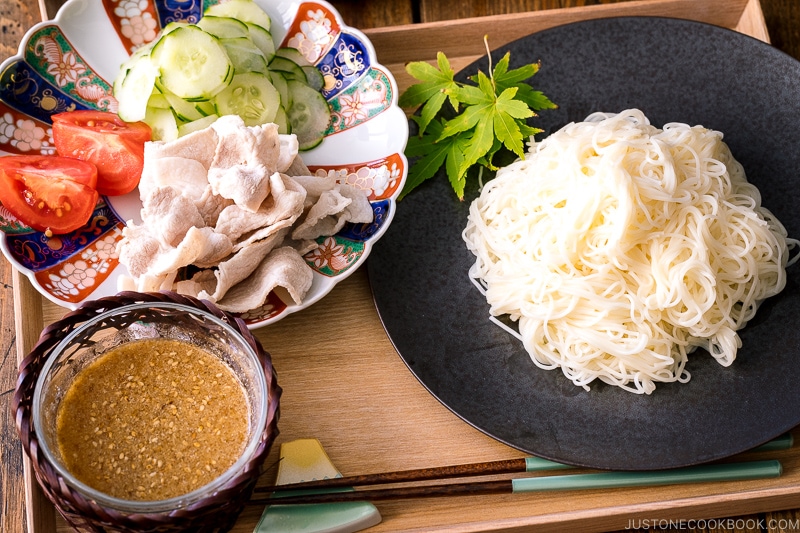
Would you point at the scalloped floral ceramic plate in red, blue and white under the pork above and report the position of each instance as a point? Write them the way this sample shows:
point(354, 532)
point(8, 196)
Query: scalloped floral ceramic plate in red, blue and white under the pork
point(70, 62)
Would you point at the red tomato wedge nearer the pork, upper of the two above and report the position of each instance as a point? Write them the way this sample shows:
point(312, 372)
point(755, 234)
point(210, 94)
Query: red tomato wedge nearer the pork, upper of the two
point(114, 146)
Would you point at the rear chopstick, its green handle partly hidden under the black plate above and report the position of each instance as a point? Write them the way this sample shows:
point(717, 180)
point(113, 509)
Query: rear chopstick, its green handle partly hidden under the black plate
point(507, 466)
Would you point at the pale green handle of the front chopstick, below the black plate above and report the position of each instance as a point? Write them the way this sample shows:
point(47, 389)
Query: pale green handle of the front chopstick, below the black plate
point(691, 474)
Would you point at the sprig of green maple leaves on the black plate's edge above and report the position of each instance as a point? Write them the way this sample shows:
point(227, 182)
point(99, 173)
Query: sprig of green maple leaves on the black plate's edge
point(490, 115)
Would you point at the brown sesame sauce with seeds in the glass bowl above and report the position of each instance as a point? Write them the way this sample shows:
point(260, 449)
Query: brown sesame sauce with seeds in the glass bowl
point(152, 419)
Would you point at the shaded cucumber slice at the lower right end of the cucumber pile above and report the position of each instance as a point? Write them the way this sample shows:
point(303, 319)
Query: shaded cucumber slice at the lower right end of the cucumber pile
point(309, 114)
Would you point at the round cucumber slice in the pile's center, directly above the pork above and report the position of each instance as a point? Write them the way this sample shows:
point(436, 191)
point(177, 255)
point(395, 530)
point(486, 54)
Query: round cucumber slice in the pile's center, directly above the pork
point(251, 96)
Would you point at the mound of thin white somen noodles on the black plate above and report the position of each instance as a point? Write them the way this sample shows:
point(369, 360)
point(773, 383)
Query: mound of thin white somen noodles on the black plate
point(620, 248)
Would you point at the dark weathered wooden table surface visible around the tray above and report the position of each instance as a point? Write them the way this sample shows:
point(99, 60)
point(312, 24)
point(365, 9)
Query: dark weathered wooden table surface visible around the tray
point(16, 16)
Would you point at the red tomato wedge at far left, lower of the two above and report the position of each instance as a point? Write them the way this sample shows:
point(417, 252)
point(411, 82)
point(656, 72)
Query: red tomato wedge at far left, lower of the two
point(48, 192)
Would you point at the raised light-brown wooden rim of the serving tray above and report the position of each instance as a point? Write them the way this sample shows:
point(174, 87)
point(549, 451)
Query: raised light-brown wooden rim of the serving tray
point(744, 16)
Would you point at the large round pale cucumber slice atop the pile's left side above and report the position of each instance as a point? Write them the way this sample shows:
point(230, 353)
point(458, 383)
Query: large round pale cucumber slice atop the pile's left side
point(194, 65)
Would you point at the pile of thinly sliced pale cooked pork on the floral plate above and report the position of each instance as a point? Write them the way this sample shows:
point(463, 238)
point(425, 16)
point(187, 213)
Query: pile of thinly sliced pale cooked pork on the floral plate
point(237, 204)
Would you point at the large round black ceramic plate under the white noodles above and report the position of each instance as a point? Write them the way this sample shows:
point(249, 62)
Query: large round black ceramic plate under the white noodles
point(674, 71)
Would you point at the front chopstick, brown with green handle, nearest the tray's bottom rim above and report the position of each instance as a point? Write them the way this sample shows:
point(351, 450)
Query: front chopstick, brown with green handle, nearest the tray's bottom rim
point(601, 480)
